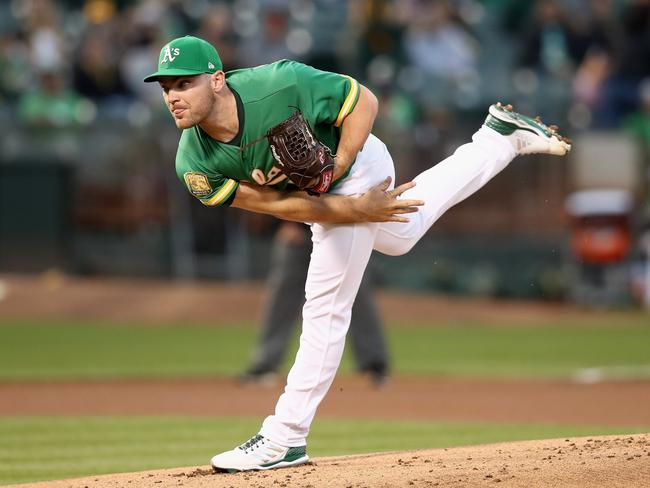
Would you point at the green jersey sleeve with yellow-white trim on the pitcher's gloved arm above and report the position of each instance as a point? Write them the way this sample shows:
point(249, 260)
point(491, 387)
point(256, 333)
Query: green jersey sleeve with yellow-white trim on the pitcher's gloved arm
point(327, 98)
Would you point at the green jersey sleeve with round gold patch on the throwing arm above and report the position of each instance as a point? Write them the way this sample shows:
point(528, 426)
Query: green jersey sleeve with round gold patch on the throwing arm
point(211, 188)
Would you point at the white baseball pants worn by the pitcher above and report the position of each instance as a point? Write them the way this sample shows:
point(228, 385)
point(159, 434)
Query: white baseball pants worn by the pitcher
point(341, 253)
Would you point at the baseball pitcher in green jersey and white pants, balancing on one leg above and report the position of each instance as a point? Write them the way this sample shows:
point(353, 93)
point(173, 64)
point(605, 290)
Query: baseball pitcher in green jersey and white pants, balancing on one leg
point(288, 140)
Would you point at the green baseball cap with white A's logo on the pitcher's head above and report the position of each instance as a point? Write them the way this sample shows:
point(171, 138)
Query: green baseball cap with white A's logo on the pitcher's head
point(186, 56)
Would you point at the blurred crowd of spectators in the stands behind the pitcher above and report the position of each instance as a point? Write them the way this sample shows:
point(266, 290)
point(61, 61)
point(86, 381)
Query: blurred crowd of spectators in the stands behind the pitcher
point(69, 62)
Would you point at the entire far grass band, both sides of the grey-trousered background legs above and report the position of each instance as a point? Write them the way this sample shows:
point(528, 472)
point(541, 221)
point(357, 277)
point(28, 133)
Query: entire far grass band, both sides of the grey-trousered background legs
point(38, 351)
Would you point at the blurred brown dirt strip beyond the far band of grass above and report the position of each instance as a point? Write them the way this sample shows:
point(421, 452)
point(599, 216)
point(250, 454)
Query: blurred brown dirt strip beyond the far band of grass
point(52, 295)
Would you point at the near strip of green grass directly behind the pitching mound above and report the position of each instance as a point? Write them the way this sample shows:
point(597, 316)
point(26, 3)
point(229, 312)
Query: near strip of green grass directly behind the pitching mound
point(41, 448)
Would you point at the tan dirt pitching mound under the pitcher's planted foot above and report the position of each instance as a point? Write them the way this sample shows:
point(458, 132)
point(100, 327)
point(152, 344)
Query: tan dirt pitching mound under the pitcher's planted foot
point(612, 461)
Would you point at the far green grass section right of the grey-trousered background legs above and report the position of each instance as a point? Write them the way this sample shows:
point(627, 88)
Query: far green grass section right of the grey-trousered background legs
point(540, 351)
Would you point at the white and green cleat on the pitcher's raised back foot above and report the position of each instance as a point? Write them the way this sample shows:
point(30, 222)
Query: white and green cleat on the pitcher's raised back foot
point(527, 135)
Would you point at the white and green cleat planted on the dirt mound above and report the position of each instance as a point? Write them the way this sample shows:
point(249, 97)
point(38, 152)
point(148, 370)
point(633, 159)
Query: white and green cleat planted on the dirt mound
point(259, 453)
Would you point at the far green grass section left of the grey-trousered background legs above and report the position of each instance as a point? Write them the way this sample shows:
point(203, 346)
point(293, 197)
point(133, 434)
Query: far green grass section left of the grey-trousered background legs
point(91, 350)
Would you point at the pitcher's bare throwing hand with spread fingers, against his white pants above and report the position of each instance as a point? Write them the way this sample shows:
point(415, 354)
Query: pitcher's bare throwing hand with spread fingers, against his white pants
point(379, 204)
